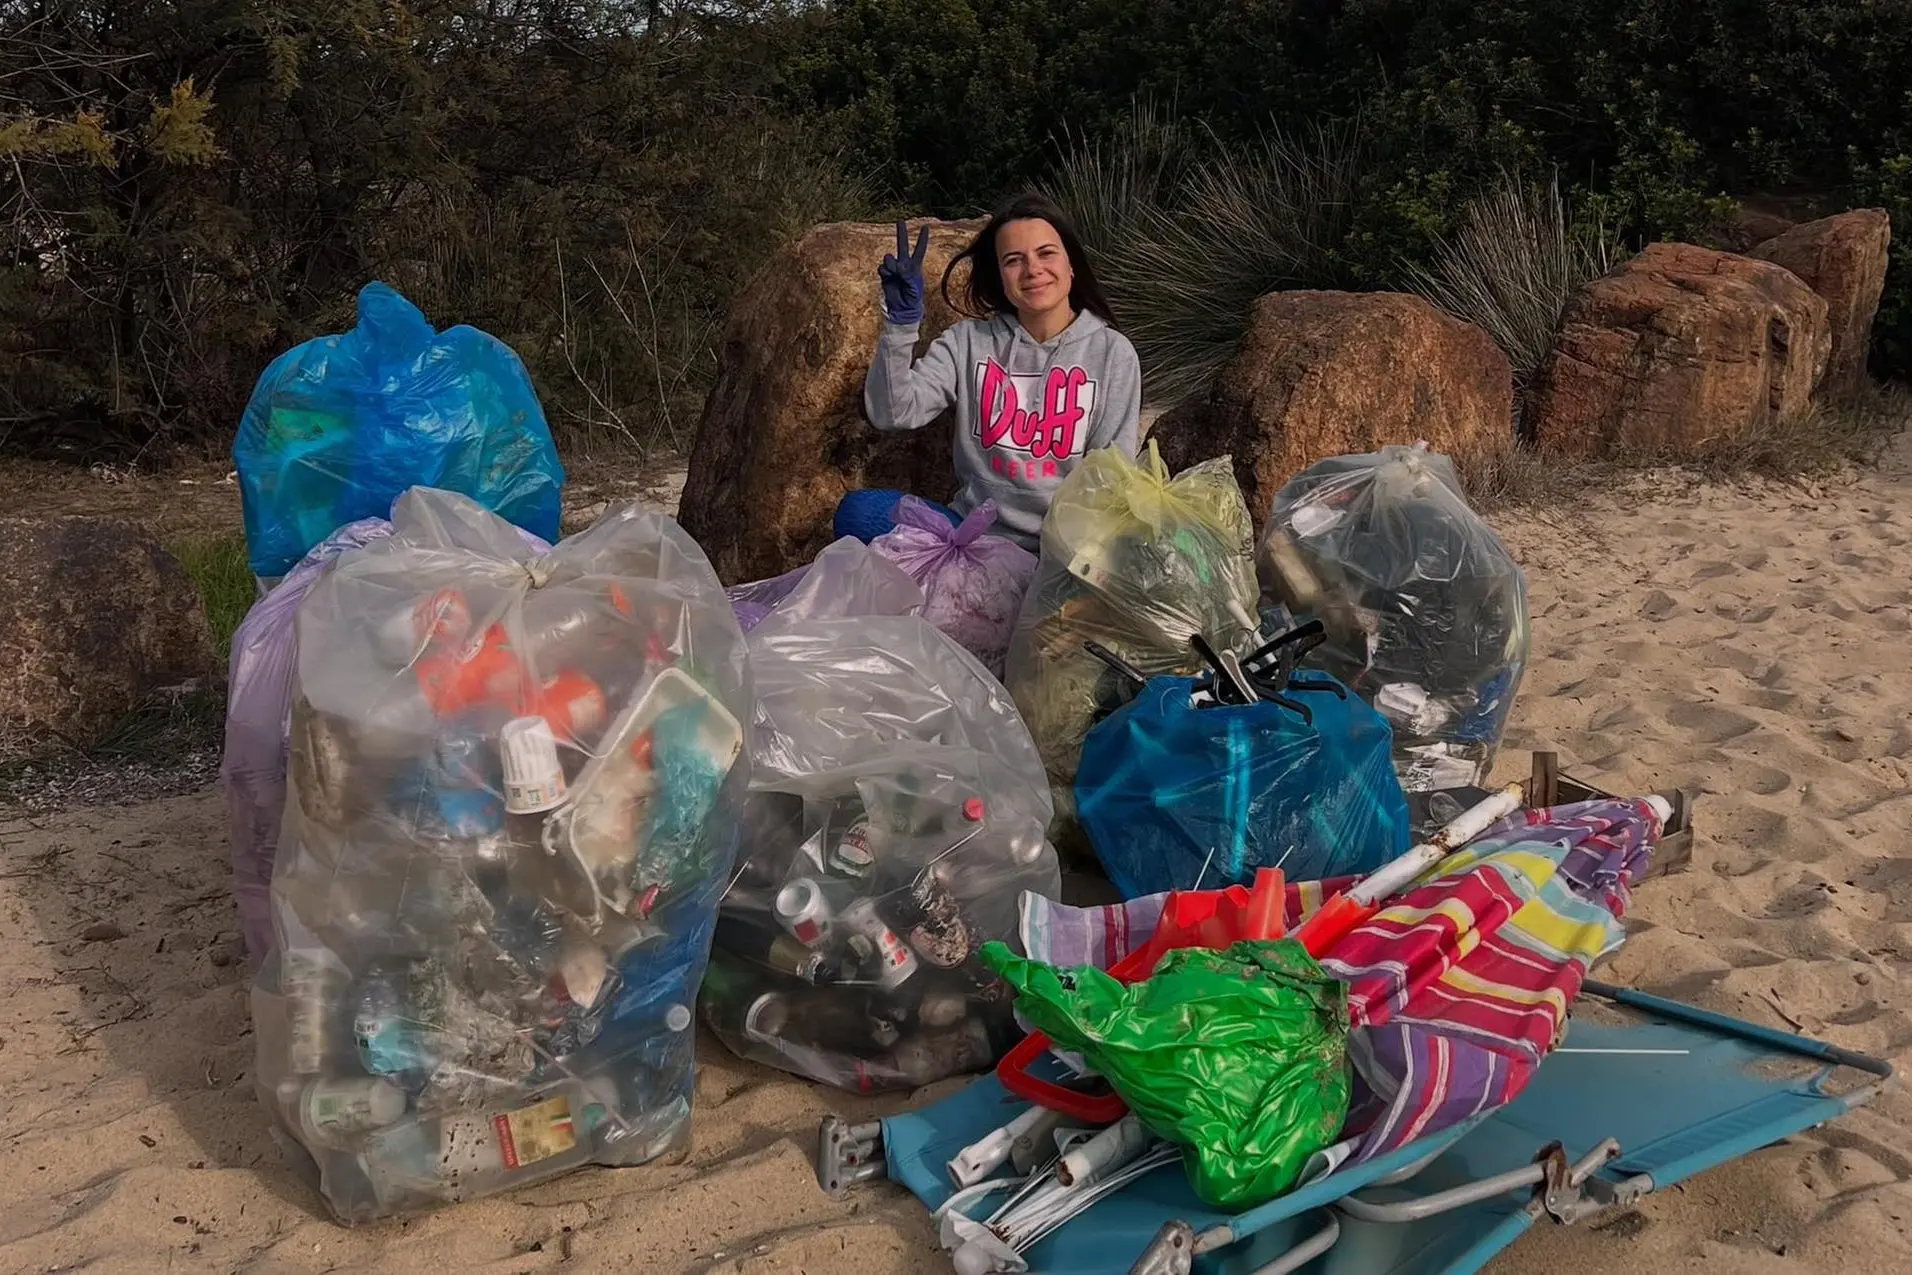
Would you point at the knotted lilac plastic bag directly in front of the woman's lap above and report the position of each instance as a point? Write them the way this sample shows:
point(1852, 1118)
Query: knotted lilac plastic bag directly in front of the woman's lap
point(972, 582)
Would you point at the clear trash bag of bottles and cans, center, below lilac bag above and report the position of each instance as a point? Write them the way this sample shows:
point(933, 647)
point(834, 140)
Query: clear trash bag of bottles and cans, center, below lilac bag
point(898, 813)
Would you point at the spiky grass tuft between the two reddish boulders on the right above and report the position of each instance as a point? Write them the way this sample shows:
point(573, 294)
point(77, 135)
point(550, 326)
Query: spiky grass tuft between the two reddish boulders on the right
point(1511, 269)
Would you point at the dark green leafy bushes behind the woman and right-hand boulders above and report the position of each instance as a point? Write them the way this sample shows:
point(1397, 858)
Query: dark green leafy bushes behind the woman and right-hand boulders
point(1662, 114)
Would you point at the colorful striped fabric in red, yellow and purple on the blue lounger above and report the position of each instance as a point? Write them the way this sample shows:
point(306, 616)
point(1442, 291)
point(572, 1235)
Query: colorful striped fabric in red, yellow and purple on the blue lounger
point(1462, 985)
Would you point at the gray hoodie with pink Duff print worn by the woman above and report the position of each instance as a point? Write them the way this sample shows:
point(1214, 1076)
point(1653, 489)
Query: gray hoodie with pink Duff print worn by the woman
point(1026, 412)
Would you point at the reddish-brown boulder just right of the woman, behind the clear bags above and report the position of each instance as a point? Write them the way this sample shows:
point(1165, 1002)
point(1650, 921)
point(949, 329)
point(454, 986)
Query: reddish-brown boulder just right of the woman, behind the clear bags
point(1334, 374)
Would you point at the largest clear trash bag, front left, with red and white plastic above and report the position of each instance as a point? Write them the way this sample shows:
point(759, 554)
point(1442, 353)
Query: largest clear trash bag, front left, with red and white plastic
point(513, 804)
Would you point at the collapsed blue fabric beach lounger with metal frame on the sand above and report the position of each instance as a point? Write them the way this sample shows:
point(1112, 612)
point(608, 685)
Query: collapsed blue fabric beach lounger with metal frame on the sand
point(1643, 1094)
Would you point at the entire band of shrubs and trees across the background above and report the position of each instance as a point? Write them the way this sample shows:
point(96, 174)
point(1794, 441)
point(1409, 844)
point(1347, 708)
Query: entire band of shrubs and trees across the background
point(194, 188)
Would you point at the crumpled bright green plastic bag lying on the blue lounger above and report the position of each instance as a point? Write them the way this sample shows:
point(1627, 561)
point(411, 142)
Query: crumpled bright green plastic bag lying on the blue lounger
point(1238, 1056)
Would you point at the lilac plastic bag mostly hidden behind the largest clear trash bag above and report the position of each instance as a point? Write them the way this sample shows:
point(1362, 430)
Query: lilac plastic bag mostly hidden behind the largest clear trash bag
point(259, 710)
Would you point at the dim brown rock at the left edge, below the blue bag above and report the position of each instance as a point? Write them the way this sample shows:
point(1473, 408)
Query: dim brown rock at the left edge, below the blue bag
point(95, 616)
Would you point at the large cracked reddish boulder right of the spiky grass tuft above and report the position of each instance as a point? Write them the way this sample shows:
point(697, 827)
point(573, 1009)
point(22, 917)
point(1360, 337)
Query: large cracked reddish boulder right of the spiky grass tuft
point(1680, 349)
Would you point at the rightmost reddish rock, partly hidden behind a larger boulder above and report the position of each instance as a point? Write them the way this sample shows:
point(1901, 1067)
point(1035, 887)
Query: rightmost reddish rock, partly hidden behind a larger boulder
point(1844, 261)
